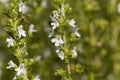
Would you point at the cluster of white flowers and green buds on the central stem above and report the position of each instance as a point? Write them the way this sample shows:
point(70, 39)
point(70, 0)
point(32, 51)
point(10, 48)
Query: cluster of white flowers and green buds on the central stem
point(62, 31)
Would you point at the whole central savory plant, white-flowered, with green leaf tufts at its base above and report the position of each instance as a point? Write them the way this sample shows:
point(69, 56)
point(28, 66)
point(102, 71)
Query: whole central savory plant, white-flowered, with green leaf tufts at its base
point(63, 34)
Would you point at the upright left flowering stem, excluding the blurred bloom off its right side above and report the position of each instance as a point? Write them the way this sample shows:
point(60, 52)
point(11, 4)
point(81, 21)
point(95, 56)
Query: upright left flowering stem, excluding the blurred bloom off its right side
point(17, 40)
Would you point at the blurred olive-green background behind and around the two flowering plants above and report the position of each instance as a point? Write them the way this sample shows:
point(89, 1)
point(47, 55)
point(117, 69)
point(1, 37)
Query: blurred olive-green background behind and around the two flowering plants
point(98, 48)
